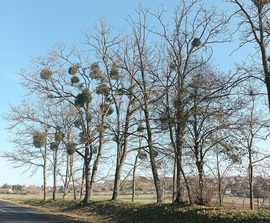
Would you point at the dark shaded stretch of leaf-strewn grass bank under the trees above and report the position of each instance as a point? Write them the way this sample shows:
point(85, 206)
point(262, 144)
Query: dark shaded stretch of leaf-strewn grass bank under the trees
point(120, 212)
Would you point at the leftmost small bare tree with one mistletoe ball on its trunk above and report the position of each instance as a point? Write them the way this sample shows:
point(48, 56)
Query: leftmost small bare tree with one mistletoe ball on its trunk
point(30, 129)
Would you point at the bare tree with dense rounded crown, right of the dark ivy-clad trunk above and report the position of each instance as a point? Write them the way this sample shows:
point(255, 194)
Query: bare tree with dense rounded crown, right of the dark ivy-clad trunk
point(211, 117)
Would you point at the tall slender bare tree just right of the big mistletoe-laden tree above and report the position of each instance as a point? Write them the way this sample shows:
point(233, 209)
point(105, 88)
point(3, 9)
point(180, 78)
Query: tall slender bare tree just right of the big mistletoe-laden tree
point(111, 52)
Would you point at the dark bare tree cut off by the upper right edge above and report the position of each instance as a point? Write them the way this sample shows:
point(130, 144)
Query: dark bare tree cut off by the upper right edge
point(255, 29)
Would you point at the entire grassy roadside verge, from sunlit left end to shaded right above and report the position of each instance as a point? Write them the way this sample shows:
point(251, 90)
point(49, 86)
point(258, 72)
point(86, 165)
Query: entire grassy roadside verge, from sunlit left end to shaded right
point(139, 212)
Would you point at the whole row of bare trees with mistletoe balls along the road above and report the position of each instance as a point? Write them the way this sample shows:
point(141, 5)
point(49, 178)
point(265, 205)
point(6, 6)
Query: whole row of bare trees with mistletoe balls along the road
point(151, 93)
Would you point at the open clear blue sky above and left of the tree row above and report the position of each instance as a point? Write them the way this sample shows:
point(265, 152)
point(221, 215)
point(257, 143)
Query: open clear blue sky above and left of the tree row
point(29, 28)
